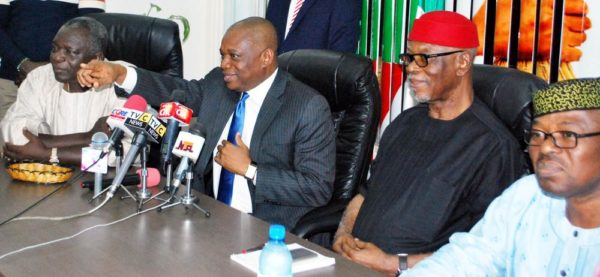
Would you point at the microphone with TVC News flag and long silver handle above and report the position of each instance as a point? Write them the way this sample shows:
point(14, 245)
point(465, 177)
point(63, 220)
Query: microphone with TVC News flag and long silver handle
point(145, 126)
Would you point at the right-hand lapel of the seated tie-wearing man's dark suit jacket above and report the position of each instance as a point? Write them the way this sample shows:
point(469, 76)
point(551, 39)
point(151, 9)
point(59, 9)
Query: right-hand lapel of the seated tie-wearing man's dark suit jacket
point(268, 111)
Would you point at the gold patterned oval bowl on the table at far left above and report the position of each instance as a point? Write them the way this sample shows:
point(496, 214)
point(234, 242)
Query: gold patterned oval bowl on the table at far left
point(39, 173)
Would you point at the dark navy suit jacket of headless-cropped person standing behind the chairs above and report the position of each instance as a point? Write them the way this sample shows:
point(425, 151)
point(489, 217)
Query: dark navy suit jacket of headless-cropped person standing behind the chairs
point(320, 24)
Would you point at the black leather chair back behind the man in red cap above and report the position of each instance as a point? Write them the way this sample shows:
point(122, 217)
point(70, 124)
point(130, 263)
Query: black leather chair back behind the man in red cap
point(507, 92)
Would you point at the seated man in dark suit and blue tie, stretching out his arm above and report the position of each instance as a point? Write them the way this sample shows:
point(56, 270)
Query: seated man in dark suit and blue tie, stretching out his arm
point(283, 159)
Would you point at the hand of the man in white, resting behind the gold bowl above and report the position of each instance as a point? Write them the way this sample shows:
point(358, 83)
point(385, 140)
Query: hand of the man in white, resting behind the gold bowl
point(35, 149)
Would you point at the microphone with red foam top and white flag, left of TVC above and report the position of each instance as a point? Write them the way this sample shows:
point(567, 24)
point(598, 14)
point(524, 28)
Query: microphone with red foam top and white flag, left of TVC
point(134, 107)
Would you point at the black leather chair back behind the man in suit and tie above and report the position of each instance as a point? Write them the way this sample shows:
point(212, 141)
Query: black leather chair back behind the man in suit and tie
point(349, 85)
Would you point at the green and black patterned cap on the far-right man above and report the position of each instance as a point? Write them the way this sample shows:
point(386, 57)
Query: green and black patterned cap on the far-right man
point(576, 94)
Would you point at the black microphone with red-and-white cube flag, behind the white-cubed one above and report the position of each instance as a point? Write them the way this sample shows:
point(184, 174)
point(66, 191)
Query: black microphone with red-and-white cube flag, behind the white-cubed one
point(176, 115)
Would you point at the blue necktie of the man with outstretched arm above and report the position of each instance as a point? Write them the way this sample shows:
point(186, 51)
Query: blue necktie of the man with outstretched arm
point(237, 125)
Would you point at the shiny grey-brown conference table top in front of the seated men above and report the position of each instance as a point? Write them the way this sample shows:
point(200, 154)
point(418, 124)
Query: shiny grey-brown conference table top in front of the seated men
point(151, 244)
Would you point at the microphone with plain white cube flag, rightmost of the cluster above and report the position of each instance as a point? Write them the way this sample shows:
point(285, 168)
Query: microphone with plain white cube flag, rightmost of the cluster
point(188, 147)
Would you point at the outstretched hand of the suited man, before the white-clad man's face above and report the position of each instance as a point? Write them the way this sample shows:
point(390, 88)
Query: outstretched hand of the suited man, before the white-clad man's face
point(99, 73)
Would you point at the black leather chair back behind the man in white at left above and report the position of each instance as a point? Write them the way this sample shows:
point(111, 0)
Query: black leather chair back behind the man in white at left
point(147, 42)
